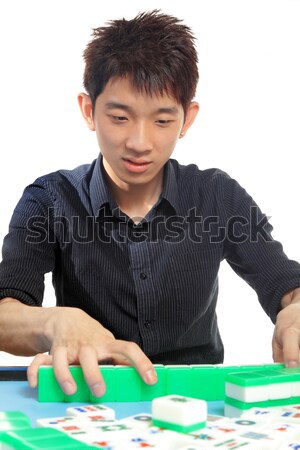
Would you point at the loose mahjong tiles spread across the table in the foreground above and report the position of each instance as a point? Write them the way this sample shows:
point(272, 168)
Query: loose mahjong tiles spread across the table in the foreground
point(186, 426)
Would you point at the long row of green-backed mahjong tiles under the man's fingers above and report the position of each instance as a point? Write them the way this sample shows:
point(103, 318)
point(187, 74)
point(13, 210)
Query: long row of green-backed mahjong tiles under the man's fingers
point(197, 381)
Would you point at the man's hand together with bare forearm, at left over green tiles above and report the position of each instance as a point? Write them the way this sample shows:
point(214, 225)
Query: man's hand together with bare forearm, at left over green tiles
point(72, 337)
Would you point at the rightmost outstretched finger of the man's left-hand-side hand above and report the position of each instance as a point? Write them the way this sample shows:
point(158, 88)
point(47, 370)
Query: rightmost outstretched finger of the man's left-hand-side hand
point(137, 357)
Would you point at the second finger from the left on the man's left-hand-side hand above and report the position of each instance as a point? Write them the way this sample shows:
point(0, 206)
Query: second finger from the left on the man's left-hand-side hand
point(62, 371)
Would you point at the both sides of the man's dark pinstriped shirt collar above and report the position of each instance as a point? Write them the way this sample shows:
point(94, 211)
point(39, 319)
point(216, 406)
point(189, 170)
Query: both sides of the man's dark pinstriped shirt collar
point(101, 196)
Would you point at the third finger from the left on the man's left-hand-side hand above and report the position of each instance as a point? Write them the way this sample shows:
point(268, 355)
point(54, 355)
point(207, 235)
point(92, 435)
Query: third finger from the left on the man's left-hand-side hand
point(92, 375)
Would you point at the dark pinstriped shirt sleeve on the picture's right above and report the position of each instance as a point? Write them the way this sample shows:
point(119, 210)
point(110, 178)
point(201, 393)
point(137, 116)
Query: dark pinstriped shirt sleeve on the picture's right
point(250, 248)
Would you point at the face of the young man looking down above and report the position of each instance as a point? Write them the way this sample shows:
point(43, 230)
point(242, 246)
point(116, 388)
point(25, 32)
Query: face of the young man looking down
point(136, 133)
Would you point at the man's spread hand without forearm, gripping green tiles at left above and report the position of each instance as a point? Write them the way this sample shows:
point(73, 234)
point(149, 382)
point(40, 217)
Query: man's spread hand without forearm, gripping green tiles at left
point(75, 338)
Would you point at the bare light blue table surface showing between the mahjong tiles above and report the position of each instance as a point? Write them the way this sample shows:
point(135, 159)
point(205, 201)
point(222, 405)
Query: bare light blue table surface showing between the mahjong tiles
point(18, 396)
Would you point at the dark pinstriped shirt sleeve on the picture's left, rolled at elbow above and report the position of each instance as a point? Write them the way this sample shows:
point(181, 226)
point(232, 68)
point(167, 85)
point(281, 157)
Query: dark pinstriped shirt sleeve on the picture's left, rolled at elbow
point(28, 249)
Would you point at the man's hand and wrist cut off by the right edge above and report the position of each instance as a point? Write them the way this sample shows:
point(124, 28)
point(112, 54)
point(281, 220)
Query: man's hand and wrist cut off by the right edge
point(286, 337)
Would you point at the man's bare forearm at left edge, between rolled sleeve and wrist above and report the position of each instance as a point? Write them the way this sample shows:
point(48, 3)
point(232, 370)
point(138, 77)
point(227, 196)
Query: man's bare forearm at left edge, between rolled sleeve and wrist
point(22, 328)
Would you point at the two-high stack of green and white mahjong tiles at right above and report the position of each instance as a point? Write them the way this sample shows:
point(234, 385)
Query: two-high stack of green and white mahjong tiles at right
point(262, 388)
